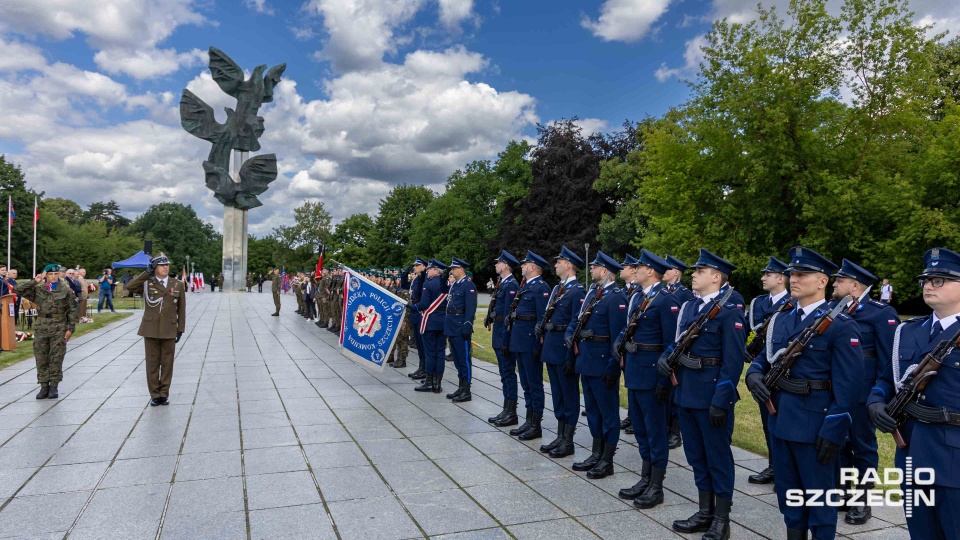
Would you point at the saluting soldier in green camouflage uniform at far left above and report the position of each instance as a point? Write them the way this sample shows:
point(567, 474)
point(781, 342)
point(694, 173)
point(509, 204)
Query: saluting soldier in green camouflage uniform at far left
point(57, 310)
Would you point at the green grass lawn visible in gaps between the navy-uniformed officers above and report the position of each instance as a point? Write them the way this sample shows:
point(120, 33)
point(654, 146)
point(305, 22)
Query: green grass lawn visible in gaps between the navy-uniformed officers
point(747, 432)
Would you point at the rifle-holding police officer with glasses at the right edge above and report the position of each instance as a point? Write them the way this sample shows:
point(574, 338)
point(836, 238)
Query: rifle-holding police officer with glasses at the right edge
point(932, 427)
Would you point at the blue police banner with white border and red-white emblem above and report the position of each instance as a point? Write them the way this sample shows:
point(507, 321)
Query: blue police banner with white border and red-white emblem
point(371, 321)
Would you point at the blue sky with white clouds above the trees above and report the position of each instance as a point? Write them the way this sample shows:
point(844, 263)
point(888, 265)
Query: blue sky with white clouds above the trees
point(376, 93)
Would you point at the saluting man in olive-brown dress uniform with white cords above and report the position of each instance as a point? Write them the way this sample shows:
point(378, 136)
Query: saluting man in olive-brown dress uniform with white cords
point(164, 317)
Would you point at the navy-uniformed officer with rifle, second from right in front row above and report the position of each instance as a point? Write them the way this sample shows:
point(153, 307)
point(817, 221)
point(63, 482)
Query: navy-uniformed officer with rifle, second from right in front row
point(810, 425)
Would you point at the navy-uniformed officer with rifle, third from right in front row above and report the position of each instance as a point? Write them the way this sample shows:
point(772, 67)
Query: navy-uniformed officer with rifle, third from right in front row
point(706, 395)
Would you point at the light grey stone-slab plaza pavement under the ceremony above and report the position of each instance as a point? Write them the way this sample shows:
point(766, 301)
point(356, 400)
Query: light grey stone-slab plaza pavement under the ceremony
point(272, 433)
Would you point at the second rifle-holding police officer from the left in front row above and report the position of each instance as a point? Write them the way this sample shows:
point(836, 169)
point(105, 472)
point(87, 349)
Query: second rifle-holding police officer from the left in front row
point(524, 343)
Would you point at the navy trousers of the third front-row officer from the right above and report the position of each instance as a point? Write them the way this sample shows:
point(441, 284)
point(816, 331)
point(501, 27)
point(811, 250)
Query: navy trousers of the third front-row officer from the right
point(707, 449)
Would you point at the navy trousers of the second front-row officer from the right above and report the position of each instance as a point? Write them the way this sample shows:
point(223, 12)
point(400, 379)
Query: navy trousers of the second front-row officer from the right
point(797, 468)
